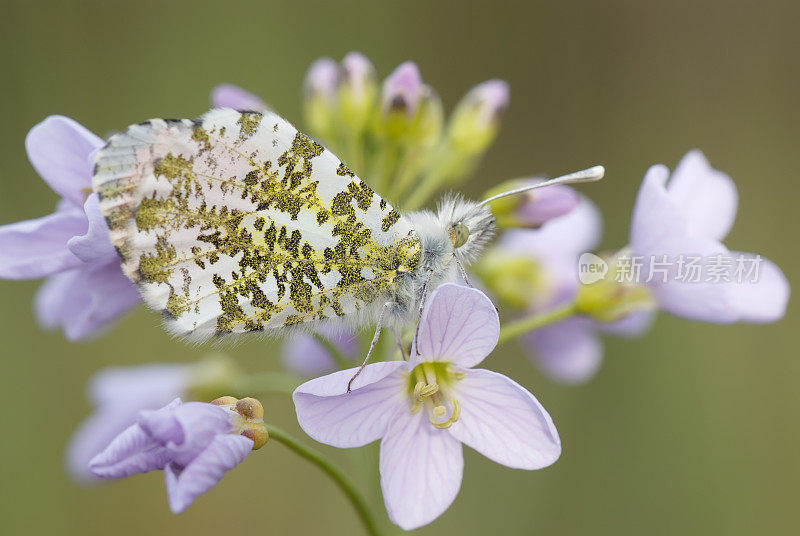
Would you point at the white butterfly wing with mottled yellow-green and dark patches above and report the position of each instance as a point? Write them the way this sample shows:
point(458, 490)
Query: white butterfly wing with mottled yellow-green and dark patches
point(237, 222)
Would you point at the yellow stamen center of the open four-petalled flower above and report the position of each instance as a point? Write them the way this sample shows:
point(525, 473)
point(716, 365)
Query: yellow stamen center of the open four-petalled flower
point(431, 387)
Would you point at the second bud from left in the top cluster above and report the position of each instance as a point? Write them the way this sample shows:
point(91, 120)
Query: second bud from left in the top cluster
point(357, 91)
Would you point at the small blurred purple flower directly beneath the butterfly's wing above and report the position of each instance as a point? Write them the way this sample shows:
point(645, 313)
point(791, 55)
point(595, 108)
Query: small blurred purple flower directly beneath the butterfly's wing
point(306, 356)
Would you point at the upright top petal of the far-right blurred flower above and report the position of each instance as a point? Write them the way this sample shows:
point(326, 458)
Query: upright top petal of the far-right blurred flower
point(708, 197)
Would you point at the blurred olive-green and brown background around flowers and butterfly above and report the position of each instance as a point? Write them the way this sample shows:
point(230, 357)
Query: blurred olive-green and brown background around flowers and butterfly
point(691, 430)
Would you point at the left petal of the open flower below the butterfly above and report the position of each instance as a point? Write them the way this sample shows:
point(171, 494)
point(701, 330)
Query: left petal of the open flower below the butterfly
point(331, 415)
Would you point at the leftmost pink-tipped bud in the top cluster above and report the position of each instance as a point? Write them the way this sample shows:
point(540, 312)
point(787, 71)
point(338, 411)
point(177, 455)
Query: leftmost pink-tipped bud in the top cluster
point(320, 88)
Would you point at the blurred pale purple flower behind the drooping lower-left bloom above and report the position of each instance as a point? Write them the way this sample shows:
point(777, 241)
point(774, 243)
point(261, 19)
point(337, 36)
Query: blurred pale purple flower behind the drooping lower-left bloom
point(117, 395)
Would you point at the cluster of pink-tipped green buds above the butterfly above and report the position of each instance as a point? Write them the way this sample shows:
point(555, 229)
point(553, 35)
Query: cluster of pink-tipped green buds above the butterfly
point(395, 133)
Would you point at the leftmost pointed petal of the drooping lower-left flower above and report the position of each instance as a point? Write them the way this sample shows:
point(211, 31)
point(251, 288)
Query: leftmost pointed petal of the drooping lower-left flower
point(130, 453)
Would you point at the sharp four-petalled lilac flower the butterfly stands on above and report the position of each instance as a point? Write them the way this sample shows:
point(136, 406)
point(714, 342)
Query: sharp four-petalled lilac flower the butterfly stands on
point(424, 409)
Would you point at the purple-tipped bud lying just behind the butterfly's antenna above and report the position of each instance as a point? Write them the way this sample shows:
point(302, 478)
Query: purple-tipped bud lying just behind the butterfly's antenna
point(532, 208)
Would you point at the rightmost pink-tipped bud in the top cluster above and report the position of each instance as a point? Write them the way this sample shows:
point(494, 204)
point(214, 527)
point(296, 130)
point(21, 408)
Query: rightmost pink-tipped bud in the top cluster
point(476, 119)
